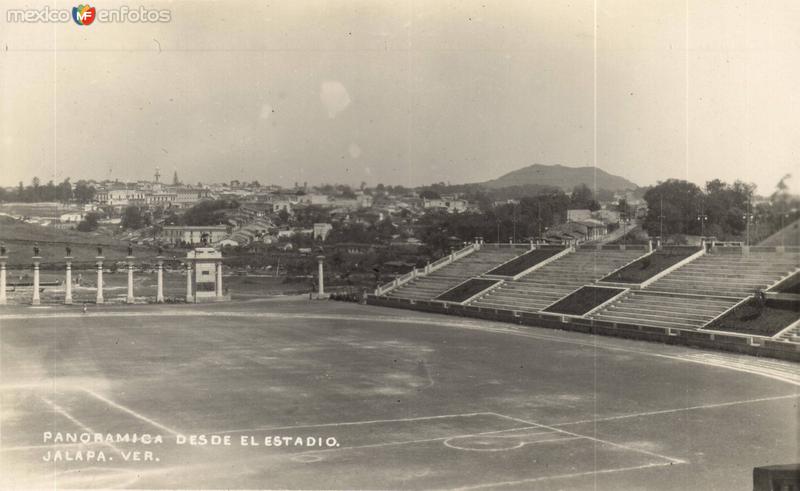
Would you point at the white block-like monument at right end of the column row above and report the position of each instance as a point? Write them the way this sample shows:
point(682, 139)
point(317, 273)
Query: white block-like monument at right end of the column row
point(204, 276)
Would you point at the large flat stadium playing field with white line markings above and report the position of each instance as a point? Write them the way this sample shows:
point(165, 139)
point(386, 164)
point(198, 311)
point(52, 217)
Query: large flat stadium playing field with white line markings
point(404, 400)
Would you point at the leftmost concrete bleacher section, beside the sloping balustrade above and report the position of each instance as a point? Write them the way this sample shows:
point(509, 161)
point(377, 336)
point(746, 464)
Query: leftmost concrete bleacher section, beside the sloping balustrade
point(441, 280)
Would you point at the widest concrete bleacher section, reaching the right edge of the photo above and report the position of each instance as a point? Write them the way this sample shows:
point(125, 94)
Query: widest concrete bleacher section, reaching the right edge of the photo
point(699, 291)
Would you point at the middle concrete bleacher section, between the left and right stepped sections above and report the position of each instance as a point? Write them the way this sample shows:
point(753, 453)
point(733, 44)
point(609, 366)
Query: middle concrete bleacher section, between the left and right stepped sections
point(554, 280)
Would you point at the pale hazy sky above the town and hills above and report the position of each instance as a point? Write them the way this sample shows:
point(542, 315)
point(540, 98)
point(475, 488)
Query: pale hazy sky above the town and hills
point(405, 92)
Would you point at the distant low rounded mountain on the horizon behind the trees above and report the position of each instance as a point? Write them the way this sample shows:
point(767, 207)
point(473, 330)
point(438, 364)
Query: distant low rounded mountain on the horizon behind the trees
point(562, 177)
